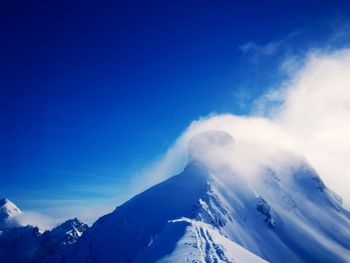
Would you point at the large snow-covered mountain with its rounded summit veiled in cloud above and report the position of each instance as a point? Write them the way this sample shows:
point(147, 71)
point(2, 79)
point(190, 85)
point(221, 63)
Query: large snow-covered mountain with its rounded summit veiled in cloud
point(233, 202)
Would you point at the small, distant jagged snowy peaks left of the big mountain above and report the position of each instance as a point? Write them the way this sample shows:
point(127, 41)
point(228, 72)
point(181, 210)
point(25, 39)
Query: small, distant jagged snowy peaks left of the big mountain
point(28, 244)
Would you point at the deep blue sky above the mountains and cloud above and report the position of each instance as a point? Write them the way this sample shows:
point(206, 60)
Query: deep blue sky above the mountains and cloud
point(92, 91)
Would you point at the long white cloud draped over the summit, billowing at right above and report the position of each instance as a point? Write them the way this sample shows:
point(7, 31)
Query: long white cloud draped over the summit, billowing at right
point(311, 117)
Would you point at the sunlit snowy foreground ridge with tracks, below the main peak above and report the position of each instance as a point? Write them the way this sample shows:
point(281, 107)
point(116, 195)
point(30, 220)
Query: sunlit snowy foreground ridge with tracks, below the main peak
point(200, 242)
